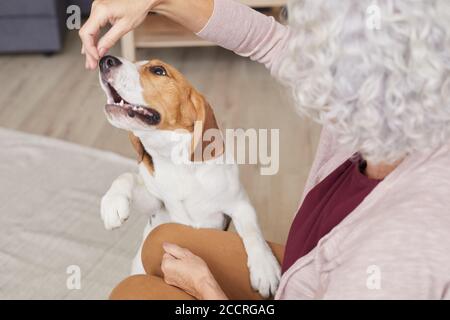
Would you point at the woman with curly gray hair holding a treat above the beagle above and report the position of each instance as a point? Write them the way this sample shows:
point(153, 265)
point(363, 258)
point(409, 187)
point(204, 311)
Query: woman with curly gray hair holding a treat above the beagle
point(374, 221)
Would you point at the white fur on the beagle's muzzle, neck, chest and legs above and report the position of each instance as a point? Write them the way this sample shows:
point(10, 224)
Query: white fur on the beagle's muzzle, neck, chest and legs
point(197, 194)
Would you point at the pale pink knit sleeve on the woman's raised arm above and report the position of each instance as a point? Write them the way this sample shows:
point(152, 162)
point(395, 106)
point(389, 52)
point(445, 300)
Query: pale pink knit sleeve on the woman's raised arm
point(247, 32)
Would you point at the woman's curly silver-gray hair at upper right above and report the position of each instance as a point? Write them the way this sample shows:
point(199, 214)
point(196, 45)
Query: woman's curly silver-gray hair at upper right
point(384, 92)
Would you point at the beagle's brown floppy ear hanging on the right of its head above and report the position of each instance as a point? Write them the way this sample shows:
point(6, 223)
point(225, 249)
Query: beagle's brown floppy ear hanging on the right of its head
point(209, 146)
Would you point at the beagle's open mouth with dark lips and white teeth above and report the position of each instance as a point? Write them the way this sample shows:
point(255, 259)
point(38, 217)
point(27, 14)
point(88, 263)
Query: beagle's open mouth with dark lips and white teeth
point(148, 115)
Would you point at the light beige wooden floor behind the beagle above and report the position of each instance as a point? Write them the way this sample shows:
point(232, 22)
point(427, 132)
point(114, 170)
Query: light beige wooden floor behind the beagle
point(55, 96)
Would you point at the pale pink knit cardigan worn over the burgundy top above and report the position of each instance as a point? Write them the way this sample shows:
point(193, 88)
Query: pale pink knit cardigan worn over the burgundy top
point(396, 243)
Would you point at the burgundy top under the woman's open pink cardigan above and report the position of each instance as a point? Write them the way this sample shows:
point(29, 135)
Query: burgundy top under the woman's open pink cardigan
point(325, 206)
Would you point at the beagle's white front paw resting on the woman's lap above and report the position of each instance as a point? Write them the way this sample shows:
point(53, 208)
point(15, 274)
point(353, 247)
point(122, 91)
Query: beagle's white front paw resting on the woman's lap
point(265, 272)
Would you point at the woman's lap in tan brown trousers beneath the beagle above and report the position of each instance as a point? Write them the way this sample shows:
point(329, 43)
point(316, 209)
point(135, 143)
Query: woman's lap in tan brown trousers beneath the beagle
point(222, 251)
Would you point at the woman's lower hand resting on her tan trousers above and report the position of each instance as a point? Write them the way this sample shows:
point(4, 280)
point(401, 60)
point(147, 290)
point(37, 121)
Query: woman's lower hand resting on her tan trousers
point(189, 272)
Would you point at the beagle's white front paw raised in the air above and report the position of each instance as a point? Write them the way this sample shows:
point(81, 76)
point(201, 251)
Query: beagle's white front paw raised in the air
point(115, 210)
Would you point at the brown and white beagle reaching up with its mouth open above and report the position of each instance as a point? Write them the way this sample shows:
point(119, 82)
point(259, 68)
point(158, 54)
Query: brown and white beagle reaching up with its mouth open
point(162, 111)
